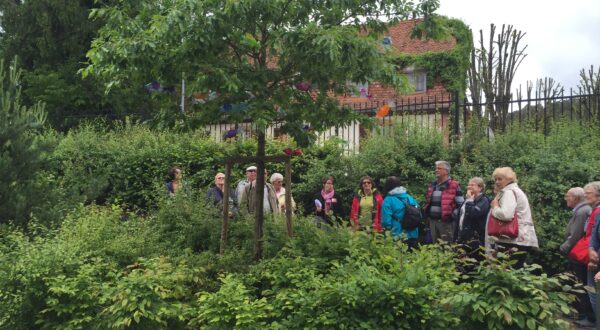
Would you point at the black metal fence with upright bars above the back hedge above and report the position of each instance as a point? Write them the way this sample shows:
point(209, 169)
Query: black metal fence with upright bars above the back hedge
point(446, 113)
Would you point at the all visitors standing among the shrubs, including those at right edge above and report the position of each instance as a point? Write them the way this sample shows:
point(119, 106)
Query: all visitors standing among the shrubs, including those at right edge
point(448, 215)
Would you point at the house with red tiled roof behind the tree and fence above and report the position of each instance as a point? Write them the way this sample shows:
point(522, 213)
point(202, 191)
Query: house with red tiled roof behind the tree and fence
point(427, 105)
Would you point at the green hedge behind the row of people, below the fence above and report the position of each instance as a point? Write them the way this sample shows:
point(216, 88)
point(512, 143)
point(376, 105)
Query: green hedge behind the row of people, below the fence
point(128, 166)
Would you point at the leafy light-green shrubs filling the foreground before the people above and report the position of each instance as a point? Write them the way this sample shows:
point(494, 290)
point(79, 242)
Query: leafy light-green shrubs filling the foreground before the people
point(98, 271)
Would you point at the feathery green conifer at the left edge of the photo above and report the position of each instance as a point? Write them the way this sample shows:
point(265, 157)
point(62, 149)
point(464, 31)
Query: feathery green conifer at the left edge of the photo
point(21, 152)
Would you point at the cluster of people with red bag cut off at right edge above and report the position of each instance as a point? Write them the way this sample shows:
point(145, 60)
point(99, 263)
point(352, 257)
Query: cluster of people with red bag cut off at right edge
point(582, 244)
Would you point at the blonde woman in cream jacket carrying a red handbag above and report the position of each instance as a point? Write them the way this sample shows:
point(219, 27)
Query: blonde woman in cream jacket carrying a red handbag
point(509, 201)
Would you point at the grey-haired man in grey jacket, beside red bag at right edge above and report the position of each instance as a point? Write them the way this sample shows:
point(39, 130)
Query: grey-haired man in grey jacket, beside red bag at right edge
point(575, 199)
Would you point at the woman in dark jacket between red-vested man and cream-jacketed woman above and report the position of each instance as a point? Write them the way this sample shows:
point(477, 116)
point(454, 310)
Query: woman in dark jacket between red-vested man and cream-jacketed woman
point(472, 216)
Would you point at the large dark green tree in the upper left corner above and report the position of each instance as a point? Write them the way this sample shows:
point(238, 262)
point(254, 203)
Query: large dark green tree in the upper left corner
point(51, 38)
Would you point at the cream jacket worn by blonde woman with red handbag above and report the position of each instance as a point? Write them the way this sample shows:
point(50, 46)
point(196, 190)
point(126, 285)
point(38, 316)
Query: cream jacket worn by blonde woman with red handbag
point(506, 211)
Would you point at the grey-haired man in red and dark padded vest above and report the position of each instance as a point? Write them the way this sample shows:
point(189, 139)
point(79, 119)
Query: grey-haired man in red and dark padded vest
point(443, 196)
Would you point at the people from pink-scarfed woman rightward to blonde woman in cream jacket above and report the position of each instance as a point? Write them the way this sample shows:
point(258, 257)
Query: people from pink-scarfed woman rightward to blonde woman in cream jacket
point(449, 215)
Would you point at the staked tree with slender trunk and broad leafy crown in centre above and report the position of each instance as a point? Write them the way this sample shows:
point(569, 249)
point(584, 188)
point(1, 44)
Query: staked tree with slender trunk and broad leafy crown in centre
point(259, 58)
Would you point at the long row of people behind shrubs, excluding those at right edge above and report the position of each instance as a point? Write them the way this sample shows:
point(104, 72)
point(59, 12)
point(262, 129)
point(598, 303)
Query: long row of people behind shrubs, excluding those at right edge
point(449, 215)
